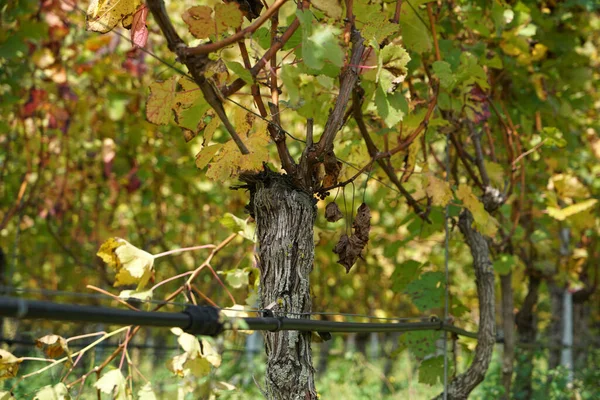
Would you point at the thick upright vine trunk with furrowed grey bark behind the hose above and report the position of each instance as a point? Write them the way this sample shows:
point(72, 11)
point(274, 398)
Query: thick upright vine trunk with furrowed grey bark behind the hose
point(284, 216)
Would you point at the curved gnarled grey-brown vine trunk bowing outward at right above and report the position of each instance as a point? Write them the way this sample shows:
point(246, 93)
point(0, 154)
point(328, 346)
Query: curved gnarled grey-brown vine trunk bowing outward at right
point(463, 384)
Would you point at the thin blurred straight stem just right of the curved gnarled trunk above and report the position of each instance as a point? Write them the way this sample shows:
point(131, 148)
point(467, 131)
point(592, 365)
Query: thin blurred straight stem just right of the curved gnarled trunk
point(508, 326)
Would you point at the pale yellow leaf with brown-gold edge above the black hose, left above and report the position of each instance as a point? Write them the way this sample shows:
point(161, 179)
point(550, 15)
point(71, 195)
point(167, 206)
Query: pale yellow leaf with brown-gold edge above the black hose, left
point(133, 265)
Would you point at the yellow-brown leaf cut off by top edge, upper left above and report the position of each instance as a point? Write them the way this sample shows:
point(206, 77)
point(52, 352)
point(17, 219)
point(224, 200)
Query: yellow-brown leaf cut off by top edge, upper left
point(104, 15)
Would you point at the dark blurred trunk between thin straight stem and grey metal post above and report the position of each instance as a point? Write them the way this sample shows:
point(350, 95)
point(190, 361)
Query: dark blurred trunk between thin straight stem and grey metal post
point(527, 330)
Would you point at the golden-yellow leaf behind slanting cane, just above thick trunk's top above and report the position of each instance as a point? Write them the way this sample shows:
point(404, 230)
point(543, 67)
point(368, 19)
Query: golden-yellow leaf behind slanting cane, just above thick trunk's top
point(230, 161)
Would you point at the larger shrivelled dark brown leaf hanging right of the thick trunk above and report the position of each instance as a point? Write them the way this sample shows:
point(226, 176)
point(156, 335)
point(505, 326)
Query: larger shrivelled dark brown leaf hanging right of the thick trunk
point(350, 248)
